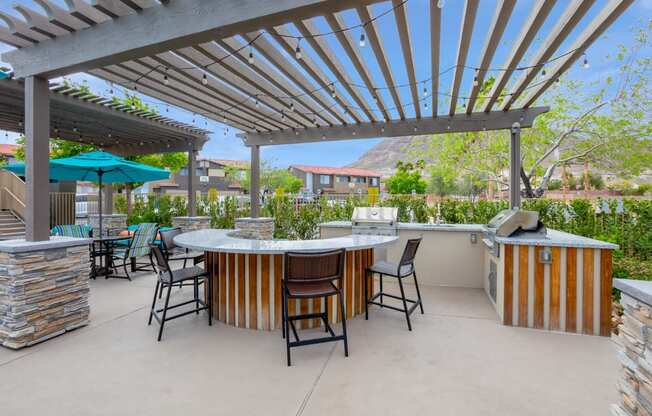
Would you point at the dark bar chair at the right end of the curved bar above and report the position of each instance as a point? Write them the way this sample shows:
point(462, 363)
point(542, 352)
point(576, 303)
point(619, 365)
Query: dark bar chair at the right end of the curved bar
point(400, 270)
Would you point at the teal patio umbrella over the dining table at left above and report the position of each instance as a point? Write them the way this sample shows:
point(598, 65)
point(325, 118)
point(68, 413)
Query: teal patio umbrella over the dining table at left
point(100, 167)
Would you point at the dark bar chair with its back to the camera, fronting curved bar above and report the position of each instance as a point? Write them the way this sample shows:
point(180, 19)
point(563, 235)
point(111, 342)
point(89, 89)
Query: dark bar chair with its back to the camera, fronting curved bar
point(311, 276)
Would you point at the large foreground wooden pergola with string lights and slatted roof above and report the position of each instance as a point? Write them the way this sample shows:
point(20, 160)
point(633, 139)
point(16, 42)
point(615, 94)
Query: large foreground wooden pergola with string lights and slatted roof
point(244, 63)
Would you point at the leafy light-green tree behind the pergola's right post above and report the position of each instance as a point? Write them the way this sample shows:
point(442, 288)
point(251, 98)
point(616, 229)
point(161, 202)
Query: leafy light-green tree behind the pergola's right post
point(588, 123)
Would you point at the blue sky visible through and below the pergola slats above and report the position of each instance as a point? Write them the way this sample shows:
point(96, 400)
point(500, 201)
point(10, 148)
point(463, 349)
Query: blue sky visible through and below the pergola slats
point(343, 152)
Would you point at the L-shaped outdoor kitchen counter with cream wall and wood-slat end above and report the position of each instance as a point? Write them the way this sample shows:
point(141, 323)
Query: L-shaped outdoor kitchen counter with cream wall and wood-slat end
point(548, 280)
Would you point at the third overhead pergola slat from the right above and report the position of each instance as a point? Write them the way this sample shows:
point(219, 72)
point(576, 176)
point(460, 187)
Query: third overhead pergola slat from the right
point(540, 11)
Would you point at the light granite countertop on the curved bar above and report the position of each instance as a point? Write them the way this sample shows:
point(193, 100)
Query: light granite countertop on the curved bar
point(223, 241)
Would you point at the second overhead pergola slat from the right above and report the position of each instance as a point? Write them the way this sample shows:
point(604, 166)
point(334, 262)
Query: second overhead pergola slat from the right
point(572, 16)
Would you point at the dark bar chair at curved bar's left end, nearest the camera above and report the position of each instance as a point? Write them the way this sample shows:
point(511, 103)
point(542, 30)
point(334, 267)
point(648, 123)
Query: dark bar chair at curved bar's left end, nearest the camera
point(168, 277)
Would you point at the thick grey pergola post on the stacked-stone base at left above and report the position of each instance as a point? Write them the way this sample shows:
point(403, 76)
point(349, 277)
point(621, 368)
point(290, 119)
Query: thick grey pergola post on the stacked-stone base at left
point(37, 149)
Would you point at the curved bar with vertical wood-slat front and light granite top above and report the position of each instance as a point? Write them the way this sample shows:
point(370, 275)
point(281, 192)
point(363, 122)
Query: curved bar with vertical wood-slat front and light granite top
point(247, 275)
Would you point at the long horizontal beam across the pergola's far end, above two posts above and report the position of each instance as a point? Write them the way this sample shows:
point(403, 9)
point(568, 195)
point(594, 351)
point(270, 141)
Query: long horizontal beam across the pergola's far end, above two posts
point(496, 120)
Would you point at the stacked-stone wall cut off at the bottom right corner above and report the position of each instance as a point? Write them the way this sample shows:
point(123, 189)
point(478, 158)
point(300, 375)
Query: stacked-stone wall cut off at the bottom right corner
point(634, 342)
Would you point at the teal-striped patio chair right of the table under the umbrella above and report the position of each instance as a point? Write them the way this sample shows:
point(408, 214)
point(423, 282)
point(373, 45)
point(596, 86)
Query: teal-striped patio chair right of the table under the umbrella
point(139, 246)
